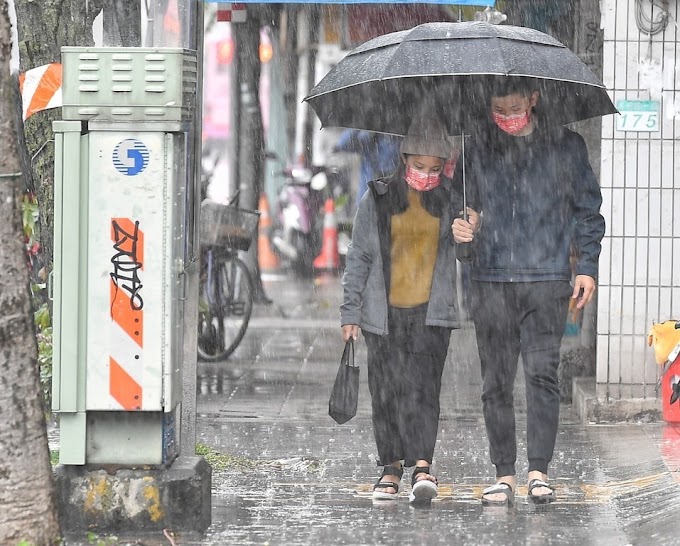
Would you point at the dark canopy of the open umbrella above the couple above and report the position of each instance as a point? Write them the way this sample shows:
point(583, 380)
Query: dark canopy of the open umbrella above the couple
point(379, 85)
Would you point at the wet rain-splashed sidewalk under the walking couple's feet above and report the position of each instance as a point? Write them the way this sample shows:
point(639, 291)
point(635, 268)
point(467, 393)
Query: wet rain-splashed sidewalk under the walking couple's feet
point(295, 477)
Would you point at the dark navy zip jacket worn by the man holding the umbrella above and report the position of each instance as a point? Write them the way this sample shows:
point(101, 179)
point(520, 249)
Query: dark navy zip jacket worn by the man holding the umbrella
point(538, 197)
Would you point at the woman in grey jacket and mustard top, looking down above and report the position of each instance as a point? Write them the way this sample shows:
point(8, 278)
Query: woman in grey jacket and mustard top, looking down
point(399, 289)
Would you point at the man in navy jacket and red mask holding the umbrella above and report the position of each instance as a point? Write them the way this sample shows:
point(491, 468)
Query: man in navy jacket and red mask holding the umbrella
point(538, 198)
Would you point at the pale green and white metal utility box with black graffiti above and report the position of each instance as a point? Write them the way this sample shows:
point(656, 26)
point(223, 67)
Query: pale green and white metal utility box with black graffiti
point(121, 217)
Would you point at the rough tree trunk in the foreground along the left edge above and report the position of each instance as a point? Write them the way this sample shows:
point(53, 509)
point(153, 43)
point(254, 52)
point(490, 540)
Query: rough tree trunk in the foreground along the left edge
point(27, 506)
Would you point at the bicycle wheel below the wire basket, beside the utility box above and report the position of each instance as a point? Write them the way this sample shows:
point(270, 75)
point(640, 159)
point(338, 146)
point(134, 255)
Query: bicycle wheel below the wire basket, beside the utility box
point(227, 296)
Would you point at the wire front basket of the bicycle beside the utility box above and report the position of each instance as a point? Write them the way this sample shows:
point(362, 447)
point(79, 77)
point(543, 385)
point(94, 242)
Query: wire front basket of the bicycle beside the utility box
point(227, 225)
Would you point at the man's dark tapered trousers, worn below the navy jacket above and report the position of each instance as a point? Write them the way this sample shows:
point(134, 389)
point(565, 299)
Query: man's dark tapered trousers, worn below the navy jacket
point(526, 318)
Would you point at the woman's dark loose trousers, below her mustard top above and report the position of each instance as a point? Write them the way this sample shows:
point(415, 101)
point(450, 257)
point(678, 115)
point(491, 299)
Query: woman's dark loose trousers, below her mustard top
point(404, 377)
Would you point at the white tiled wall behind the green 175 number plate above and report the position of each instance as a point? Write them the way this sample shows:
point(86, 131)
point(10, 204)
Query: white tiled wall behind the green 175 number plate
point(640, 177)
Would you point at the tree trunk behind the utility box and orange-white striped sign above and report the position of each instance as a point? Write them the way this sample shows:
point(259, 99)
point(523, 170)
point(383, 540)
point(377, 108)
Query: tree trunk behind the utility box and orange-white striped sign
point(43, 28)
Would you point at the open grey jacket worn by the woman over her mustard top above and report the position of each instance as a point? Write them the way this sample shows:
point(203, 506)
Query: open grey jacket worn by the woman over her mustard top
point(366, 278)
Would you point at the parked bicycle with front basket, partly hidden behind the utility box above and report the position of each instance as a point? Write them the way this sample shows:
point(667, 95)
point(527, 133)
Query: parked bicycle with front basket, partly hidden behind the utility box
point(226, 287)
